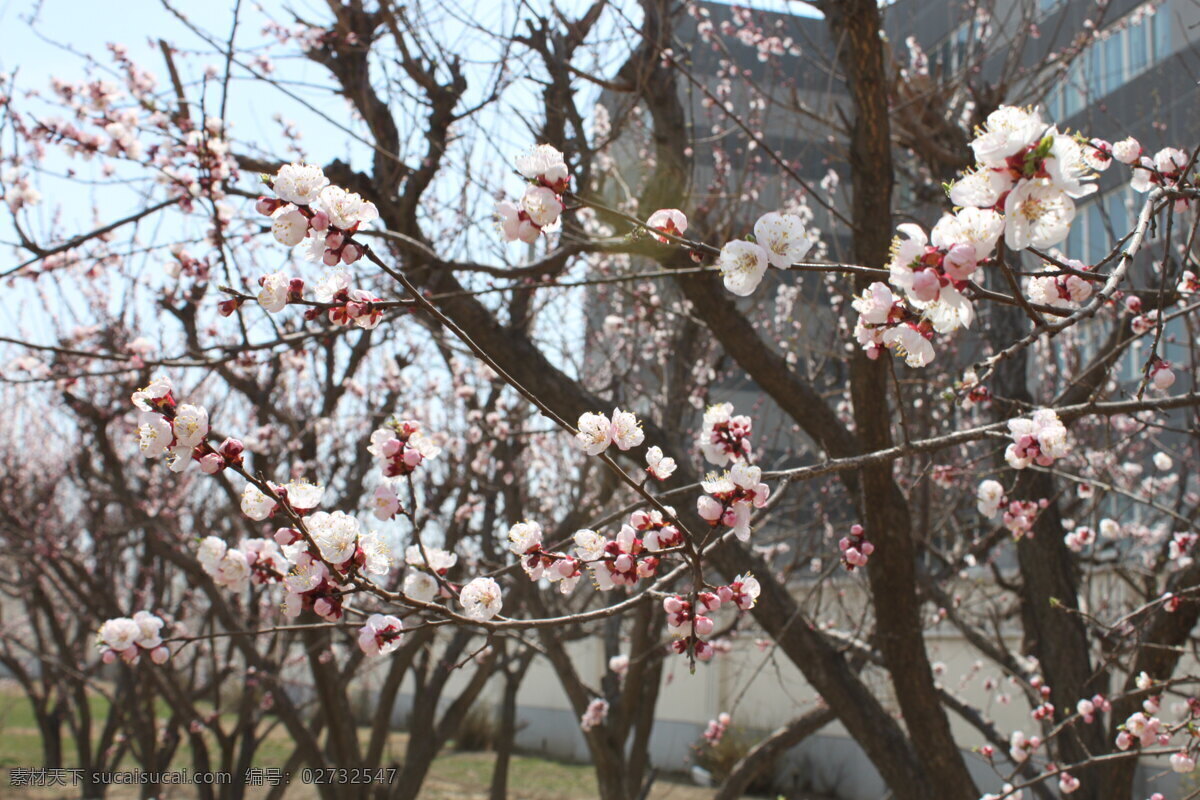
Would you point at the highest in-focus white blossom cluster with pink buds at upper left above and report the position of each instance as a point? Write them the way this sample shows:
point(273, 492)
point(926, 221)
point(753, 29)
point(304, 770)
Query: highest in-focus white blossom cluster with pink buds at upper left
point(308, 208)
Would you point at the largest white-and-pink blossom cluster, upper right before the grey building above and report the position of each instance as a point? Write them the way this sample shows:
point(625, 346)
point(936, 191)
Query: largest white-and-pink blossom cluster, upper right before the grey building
point(1023, 187)
